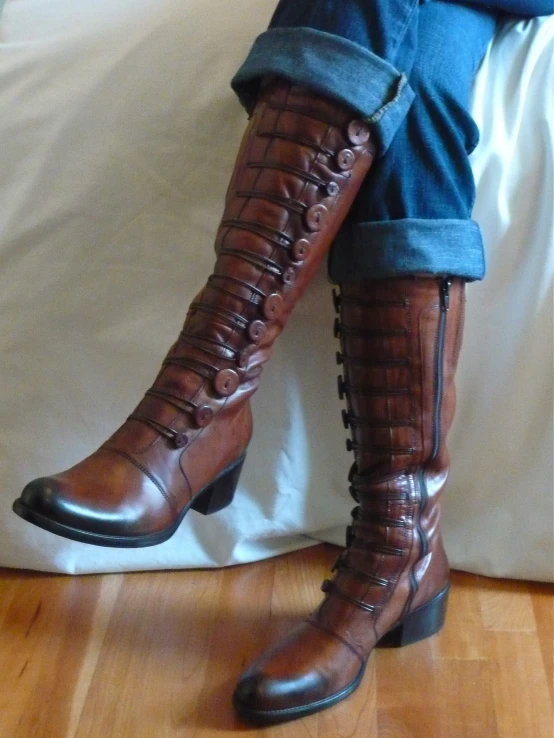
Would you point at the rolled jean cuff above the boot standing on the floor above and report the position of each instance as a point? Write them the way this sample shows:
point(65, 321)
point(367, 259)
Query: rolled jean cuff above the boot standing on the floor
point(410, 246)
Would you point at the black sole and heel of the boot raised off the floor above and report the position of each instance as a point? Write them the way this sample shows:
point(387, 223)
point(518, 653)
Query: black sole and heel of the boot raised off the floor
point(215, 496)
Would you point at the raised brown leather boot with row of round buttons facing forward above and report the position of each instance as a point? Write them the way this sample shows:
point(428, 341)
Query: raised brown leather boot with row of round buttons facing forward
point(301, 162)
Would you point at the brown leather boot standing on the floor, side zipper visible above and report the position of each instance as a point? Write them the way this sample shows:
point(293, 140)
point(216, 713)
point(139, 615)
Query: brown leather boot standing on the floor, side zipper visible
point(400, 341)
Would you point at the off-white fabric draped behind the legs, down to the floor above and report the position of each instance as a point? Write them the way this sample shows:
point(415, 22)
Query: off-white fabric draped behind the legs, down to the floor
point(118, 133)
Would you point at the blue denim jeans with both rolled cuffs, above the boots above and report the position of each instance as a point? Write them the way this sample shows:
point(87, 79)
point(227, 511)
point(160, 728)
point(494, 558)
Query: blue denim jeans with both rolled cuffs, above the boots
point(406, 68)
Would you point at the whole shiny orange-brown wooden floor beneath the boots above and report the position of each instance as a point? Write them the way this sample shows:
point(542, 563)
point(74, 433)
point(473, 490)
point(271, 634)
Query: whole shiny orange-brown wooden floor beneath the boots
point(156, 655)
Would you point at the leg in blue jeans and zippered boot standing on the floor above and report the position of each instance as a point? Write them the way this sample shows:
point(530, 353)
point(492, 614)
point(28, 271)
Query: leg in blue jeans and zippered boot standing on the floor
point(400, 324)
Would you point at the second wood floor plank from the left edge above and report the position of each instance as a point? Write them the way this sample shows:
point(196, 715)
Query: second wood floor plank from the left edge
point(155, 654)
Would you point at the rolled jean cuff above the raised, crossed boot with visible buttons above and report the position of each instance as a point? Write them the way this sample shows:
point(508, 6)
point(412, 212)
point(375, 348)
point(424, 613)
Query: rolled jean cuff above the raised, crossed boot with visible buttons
point(333, 66)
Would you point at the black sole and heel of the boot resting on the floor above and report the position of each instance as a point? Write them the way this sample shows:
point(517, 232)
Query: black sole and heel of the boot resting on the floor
point(422, 623)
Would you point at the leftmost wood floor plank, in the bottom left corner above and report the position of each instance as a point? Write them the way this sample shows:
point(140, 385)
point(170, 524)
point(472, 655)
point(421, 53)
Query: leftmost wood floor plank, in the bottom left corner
point(45, 635)
